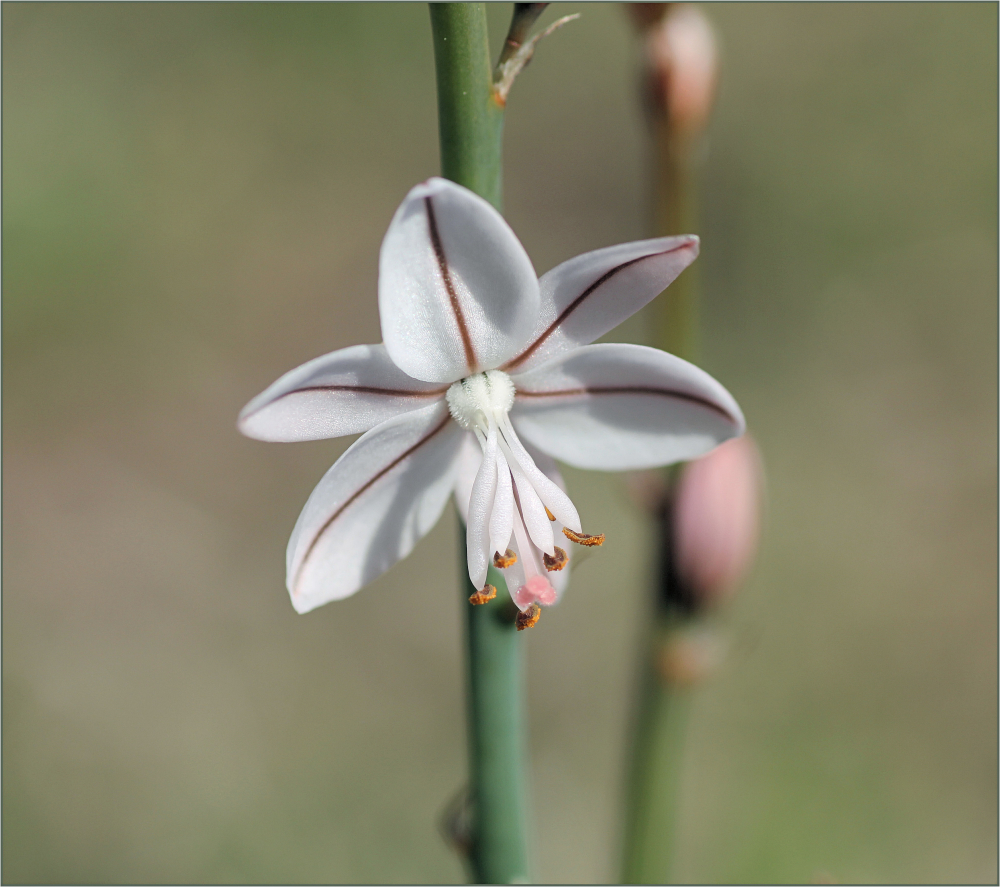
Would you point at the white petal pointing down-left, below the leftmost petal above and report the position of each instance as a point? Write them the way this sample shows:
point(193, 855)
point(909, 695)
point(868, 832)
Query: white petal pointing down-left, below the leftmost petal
point(369, 510)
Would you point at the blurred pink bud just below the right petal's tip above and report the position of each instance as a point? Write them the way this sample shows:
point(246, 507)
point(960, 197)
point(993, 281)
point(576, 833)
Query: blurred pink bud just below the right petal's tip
point(716, 519)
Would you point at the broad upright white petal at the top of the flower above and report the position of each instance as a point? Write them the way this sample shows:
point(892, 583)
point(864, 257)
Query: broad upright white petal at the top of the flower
point(456, 291)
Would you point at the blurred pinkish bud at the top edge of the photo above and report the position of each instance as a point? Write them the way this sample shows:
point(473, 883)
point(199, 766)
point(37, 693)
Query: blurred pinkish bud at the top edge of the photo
point(683, 61)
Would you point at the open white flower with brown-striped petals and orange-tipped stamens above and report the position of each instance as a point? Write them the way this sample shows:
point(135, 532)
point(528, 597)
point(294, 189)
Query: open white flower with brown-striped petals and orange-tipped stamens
point(484, 374)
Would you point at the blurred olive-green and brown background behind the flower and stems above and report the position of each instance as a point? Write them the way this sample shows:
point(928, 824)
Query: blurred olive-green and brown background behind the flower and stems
point(194, 197)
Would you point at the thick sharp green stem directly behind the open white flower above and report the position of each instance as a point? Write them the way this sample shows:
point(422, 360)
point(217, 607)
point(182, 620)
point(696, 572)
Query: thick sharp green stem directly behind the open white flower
point(471, 130)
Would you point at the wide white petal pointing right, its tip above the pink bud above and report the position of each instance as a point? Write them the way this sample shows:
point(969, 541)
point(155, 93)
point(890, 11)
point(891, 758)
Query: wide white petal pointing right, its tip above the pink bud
point(617, 407)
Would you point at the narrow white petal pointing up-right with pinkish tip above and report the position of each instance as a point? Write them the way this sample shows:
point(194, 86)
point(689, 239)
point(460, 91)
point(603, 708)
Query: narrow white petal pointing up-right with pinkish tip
point(587, 296)
